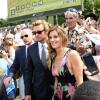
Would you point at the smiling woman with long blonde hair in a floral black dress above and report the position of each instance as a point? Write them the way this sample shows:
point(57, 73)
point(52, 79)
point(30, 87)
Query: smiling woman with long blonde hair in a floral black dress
point(66, 64)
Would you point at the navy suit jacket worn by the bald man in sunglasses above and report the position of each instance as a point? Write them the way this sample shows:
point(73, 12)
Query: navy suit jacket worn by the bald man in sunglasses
point(19, 61)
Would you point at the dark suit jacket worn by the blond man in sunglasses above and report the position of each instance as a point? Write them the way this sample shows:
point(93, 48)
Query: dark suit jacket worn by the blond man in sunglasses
point(37, 74)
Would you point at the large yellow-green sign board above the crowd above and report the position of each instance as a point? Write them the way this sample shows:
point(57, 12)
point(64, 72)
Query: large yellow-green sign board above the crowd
point(18, 8)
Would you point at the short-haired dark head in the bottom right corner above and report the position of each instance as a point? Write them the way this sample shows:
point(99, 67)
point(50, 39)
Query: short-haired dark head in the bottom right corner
point(89, 90)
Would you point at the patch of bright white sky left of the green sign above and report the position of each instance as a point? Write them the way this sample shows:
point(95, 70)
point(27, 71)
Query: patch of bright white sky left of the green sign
point(3, 9)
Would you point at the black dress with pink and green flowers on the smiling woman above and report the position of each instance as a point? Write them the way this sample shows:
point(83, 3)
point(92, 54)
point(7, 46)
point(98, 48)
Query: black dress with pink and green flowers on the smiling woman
point(65, 81)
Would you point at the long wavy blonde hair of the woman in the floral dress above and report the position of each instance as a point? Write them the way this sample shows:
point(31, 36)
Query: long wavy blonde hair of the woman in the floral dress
point(62, 34)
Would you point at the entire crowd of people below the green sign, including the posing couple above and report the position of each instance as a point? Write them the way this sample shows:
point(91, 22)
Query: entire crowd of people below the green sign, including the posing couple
point(45, 61)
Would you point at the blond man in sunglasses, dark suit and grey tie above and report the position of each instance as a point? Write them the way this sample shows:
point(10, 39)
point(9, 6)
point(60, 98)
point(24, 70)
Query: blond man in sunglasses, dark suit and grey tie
point(36, 71)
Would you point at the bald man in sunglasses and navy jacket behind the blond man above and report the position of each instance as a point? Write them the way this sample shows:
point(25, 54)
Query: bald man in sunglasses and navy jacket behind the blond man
point(20, 59)
